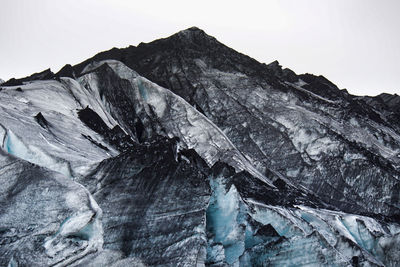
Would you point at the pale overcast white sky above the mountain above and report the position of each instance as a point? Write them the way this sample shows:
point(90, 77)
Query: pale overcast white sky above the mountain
point(353, 43)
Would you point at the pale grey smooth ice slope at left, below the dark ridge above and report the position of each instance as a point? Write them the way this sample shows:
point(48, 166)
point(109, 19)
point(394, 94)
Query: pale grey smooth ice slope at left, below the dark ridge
point(61, 145)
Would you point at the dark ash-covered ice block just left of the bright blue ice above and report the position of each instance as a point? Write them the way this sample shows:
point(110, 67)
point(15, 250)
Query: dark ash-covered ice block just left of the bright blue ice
point(154, 207)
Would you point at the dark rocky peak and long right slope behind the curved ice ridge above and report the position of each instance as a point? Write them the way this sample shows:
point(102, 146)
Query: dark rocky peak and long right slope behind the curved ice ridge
point(343, 148)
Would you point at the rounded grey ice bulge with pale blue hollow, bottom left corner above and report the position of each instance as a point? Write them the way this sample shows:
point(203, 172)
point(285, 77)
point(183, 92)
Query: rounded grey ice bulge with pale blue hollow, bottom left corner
point(46, 219)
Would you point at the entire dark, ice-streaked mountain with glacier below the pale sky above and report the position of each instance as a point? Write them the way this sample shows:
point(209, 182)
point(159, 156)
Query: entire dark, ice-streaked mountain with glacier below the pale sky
point(184, 152)
